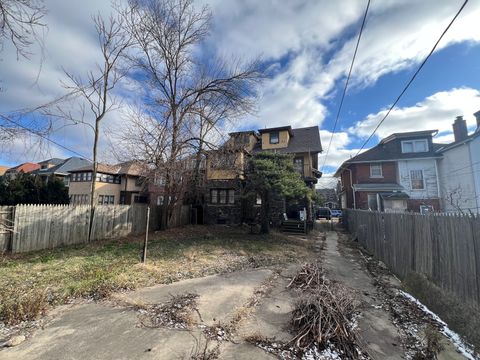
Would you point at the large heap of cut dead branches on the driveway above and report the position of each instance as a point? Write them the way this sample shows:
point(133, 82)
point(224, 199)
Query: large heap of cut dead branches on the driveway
point(324, 315)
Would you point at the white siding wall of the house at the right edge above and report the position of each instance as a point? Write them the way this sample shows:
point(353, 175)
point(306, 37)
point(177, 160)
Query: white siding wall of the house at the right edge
point(457, 186)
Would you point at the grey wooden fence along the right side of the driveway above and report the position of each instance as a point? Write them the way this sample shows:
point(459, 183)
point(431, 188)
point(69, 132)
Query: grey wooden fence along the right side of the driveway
point(444, 247)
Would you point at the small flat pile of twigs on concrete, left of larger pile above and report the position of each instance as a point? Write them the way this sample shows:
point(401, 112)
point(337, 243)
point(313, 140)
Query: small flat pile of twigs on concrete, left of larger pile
point(174, 314)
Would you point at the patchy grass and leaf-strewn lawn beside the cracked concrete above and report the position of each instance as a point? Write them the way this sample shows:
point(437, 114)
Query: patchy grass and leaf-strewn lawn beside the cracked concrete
point(29, 283)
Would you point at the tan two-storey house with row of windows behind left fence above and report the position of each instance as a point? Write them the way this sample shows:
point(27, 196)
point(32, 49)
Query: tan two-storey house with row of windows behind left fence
point(116, 184)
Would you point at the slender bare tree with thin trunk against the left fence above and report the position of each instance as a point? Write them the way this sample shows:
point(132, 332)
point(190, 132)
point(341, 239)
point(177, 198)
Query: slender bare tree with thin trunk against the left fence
point(94, 98)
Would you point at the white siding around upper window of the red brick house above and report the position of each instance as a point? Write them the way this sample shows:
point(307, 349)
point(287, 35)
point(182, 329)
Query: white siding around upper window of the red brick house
point(430, 190)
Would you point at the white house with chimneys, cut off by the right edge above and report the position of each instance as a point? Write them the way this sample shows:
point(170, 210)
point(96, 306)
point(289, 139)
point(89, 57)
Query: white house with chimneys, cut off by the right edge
point(459, 169)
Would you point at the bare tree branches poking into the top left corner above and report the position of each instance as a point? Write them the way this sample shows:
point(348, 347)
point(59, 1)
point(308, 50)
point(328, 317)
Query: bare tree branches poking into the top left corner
point(20, 21)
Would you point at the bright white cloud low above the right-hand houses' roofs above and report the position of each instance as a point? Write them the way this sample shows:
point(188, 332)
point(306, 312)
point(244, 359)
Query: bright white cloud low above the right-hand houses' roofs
point(436, 112)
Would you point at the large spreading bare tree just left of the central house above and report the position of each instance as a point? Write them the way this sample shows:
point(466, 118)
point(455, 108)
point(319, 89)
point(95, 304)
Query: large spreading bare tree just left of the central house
point(180, 85)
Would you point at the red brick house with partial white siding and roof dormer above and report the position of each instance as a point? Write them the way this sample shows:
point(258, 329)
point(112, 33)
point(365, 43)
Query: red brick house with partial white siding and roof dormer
point(399, 174)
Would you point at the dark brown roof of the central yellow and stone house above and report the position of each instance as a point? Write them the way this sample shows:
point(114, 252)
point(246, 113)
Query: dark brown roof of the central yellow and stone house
point(303, 140)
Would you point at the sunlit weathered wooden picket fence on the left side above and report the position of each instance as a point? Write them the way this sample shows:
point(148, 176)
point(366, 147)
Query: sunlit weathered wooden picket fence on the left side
point(36, 227)
